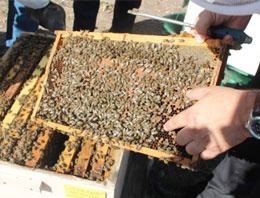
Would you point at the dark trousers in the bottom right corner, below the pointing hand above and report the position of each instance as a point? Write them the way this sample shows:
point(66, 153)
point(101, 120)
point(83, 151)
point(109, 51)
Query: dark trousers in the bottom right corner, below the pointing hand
point(238, 175)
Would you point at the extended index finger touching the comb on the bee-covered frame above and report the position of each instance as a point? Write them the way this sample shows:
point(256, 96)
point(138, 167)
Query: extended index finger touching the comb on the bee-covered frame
point(176, 122)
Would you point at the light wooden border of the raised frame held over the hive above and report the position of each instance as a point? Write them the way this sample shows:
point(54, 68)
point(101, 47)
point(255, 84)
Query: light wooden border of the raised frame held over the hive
point(219, 53)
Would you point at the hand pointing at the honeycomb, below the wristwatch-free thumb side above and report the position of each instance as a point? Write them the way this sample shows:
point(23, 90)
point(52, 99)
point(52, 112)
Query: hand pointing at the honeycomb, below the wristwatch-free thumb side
point(215, 123)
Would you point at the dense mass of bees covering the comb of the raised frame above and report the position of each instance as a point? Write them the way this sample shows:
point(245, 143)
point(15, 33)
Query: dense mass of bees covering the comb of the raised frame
point(121, 91)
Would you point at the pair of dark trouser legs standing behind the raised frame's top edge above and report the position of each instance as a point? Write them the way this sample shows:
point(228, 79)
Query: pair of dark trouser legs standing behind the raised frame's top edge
point(85, 13)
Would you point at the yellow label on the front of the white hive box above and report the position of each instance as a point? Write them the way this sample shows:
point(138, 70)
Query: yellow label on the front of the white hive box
point(79, 192)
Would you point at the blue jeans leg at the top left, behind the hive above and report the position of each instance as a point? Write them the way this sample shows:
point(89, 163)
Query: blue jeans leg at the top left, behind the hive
point(17, 22)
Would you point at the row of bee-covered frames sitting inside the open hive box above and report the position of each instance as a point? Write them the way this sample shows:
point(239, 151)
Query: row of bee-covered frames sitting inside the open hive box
point(28, 144)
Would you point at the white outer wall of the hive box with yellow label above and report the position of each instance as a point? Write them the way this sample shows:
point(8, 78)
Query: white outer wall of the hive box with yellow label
point(19, 181)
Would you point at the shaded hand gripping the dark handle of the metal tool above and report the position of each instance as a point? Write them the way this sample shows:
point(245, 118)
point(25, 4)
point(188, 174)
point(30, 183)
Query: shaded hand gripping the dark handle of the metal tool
point(207, 19)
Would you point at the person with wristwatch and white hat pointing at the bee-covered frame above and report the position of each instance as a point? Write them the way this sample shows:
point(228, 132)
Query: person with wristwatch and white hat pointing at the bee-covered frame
point(224, 119)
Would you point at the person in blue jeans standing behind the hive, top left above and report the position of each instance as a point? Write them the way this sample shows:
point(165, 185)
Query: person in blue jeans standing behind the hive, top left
point(26, 15)
